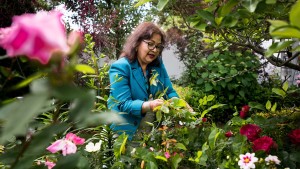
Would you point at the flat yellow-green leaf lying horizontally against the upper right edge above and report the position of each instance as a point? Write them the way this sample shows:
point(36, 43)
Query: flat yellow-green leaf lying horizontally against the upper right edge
point(286, 32)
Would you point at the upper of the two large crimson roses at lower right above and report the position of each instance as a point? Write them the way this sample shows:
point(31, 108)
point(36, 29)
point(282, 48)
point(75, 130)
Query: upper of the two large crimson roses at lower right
point(251, 131)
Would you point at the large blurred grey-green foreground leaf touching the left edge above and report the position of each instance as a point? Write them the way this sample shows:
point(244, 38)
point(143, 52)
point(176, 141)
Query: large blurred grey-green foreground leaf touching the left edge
point(27, 108)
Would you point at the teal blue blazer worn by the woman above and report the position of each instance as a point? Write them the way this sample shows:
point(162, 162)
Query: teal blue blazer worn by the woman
point(128, 94)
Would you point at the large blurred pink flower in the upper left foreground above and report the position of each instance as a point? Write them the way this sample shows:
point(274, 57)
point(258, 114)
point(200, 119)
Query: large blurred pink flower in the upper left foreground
point(37, 36)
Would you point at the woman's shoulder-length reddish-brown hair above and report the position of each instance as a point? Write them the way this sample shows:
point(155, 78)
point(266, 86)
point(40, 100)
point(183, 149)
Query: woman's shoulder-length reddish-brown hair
point(144, 31)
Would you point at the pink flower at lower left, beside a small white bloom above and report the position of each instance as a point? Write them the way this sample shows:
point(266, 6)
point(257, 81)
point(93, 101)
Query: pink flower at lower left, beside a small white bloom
point(66, 145)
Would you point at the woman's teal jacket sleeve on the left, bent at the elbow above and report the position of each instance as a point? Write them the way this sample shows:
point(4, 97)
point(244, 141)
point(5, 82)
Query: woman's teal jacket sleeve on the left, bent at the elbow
point(121, 91)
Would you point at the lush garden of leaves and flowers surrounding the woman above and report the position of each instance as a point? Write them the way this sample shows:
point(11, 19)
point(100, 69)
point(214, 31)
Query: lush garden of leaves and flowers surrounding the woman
point(54, 89)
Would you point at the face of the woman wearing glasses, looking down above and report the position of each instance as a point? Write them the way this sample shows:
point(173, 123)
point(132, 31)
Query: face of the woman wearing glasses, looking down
point(149, 49)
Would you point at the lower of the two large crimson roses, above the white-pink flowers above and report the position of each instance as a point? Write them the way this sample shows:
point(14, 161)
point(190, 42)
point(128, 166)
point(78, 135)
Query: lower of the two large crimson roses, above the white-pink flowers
point(264, 143)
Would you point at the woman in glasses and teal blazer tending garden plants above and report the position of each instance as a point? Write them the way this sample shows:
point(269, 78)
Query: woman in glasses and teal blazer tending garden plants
point(139, 61)
